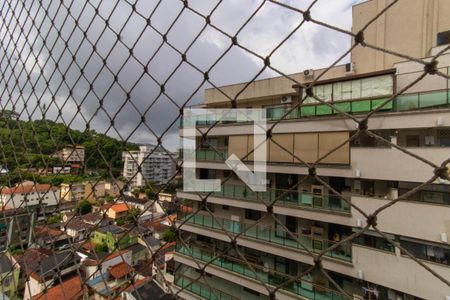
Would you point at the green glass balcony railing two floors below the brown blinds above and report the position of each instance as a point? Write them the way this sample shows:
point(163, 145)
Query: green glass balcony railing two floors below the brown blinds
point(268, 234)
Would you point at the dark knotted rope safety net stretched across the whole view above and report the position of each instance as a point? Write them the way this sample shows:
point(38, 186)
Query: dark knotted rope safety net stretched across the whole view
point(101, 74)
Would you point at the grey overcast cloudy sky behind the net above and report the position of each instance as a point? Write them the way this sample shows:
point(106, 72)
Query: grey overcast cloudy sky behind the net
point(312, 46)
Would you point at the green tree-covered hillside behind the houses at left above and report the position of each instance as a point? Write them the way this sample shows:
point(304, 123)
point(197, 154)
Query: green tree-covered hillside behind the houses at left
point(30, 144)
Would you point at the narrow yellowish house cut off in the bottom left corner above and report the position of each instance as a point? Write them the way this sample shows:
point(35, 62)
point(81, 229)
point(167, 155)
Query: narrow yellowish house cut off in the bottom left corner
point(9, 275)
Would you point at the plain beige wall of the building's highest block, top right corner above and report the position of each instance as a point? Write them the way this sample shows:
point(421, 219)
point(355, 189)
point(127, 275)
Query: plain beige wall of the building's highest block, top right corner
point(409, 27)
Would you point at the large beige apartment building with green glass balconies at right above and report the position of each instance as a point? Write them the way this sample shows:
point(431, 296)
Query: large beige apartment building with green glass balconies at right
point(299, 214)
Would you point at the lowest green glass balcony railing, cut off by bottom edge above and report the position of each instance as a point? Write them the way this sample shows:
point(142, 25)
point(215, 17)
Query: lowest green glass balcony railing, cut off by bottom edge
point(201, 289)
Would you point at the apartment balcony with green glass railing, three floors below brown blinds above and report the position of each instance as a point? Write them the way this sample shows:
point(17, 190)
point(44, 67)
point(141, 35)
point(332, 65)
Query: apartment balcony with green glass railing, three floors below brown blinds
point(257, 272)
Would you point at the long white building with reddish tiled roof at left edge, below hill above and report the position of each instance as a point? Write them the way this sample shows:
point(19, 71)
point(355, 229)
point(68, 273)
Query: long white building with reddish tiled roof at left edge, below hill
point(29, 194)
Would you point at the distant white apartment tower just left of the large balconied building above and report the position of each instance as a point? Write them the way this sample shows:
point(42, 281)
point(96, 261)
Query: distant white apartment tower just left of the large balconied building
point(156, 165)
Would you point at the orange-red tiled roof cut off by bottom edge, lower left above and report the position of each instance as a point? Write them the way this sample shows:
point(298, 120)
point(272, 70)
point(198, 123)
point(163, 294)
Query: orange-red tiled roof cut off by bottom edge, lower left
point(68, 289)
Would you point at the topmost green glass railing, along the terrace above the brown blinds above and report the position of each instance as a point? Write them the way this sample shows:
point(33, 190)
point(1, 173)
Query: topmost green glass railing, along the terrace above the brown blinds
point(404, 102)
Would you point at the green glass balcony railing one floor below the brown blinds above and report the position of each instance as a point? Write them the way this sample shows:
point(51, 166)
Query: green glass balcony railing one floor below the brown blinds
point(286, 198)
